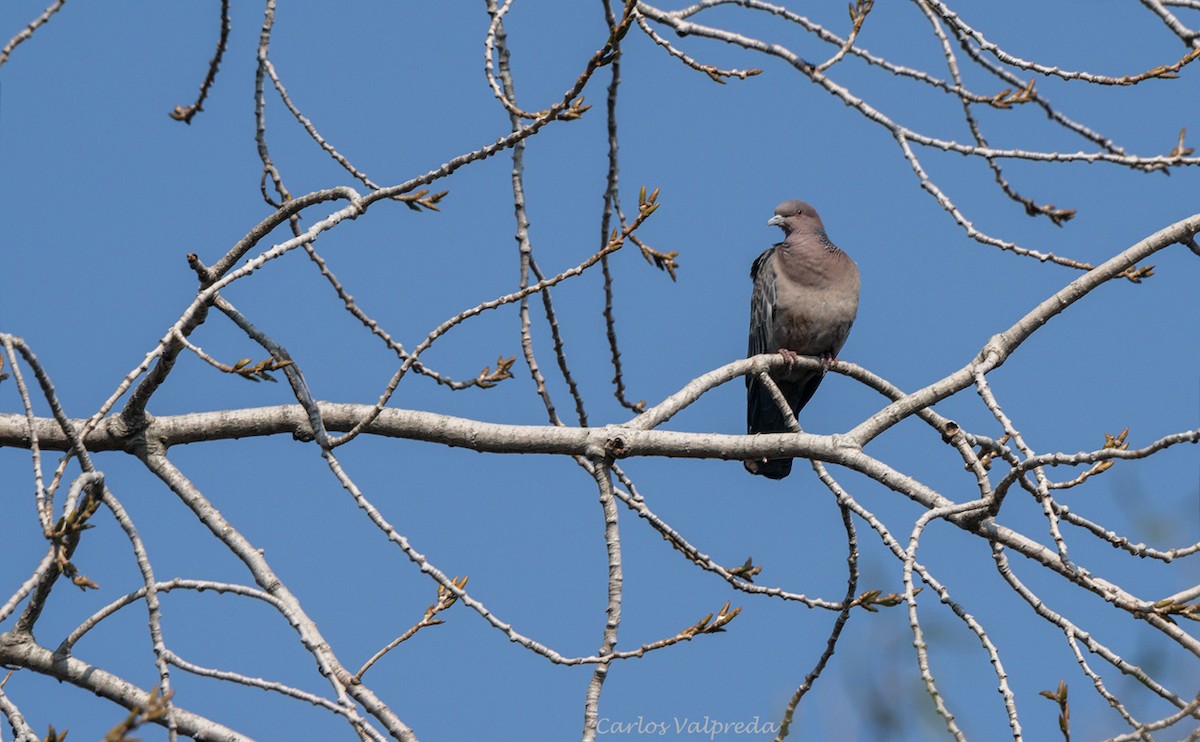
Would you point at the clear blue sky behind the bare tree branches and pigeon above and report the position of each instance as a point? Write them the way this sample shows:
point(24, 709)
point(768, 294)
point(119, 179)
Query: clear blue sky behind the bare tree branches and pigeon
point(104, 195)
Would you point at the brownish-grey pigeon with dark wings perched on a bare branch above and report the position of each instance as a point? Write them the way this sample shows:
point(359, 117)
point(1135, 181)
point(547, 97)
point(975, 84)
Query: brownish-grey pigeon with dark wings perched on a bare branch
point(805, 302)
